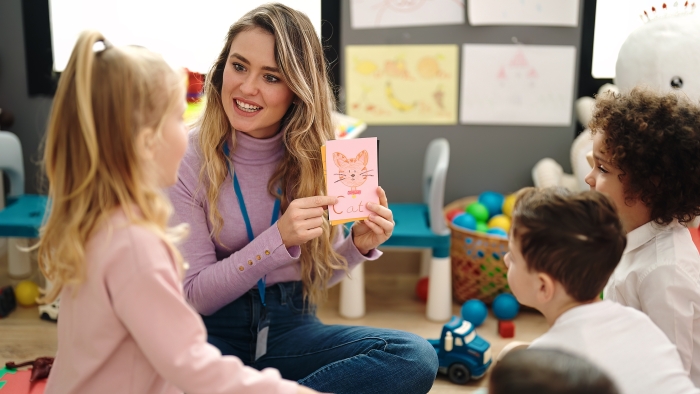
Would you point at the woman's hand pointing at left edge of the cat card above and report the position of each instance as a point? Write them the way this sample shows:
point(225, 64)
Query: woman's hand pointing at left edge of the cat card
point(303, 219)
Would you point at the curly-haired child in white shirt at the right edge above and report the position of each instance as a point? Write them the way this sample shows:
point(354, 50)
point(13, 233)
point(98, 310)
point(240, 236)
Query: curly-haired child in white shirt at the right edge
point(646, 154)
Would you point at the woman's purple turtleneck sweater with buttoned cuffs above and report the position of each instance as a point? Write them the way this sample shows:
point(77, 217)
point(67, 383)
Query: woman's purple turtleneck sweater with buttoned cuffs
point(220, 274)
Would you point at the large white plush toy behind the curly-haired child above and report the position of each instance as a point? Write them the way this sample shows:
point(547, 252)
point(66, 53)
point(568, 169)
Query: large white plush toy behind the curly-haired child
point(663, 54)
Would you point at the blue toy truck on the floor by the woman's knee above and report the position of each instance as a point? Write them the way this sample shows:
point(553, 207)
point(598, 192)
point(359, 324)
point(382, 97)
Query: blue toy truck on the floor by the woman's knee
point(462, 354)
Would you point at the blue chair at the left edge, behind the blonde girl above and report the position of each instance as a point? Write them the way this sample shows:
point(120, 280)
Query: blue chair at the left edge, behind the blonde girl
point(24, 213)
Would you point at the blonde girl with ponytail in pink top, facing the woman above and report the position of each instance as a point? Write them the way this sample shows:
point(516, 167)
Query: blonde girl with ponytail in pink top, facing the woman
point(115, 138)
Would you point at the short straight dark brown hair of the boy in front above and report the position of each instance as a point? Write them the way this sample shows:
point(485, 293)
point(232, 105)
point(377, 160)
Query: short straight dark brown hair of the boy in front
point(576, 238)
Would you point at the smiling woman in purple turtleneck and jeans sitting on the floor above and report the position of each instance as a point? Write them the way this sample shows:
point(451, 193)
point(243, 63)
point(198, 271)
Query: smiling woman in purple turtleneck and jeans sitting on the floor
point(254, 275)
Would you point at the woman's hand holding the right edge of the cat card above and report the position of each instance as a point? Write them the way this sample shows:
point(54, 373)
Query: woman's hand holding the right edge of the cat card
point(374, 231)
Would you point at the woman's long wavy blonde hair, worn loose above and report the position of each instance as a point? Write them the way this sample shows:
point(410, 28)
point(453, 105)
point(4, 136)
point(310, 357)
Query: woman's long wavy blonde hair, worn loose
point(306, 126)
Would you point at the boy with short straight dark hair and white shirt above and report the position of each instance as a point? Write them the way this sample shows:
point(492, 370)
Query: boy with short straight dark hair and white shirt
point(563, 248)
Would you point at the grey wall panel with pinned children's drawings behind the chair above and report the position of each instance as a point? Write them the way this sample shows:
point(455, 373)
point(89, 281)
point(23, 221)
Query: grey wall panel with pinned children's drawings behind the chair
point(509, 104)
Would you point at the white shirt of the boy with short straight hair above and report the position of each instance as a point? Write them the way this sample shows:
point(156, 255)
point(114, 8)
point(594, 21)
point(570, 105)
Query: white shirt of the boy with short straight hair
point(624, 343)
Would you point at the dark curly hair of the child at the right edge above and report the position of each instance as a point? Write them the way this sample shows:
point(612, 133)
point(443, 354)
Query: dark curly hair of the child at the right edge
point(654, 139)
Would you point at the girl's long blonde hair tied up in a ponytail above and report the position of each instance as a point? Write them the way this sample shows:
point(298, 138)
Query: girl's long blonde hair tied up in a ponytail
point(105, 99)
